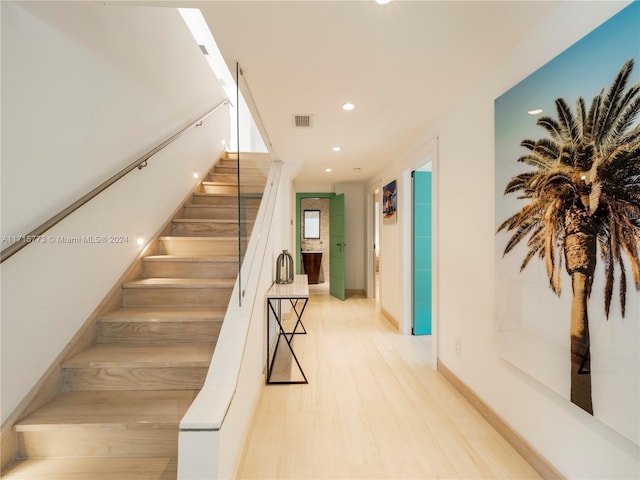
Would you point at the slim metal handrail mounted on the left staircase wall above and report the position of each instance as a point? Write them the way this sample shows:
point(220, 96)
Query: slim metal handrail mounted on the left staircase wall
point(140, 163)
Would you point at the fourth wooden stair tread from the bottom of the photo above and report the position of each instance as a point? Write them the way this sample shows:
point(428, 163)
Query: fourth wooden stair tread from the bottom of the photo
point(160, 314)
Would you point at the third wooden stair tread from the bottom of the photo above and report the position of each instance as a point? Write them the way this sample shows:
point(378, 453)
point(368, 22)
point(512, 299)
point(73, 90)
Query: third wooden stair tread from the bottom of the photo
point(105, 355)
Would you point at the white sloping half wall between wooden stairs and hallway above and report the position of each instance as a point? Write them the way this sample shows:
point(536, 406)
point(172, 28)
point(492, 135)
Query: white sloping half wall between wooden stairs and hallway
point(213, 429)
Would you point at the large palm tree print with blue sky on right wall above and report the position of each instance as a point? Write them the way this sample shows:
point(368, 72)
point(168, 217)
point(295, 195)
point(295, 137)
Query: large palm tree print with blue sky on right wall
point(567, 179)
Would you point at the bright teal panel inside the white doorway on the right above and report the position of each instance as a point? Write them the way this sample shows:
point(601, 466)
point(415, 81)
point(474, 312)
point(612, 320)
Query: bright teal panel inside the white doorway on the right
point(422, 241)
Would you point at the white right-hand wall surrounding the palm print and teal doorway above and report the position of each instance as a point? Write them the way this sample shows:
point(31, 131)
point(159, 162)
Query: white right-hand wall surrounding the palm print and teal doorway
point(578, 445)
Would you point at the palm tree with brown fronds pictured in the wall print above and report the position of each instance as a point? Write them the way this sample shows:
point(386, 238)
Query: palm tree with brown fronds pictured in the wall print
point(583, 198)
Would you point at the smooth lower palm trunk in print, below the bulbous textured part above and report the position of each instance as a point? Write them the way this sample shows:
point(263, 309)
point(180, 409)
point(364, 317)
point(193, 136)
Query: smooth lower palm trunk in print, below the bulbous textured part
point(580, 351)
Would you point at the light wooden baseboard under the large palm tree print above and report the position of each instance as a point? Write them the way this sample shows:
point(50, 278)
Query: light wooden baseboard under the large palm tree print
point(537, 461)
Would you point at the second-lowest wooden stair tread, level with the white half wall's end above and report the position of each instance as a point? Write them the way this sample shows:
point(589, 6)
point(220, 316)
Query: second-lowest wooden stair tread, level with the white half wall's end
point(116, 409)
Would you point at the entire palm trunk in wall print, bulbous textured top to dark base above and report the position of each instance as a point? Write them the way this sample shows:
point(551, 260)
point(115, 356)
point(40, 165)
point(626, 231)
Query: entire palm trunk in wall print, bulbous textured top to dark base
point(580, 256)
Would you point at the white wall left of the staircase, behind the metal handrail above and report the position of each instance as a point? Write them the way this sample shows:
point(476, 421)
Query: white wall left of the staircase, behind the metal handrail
point(87, 89)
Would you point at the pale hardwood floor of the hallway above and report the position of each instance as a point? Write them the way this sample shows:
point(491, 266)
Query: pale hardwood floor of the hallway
point(374, 408)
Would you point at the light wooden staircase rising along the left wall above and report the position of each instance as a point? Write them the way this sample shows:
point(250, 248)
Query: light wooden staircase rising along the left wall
point(123, 398)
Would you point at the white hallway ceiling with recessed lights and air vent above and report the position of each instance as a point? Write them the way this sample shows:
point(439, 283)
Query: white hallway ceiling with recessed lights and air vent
point(402, 64)
